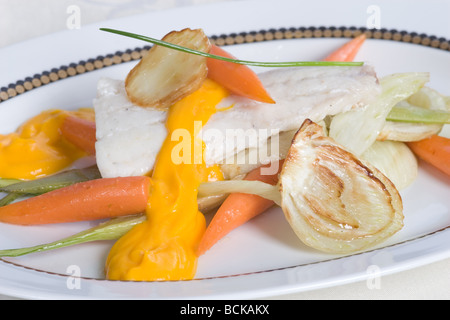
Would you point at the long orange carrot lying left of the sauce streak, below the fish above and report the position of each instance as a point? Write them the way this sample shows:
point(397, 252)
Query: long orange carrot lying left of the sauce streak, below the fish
point(86, 201)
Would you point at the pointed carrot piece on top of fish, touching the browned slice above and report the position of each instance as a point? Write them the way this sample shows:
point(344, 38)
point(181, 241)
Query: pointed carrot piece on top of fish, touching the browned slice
point(239, 79)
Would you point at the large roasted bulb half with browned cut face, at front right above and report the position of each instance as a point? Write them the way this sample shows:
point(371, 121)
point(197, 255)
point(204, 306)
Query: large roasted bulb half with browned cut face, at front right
point(334, 201)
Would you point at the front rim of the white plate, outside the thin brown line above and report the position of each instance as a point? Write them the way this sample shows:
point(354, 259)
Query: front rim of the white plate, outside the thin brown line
point(190, 289)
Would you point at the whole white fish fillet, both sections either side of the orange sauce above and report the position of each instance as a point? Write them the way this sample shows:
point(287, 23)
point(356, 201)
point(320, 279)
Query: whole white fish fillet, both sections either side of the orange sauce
point(129, 137)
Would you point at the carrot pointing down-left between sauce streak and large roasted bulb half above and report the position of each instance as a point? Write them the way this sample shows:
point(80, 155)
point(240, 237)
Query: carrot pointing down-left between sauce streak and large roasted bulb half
point(236, 210)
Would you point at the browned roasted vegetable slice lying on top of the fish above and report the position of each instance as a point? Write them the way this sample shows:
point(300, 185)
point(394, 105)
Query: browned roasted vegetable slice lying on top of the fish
point(165, 76)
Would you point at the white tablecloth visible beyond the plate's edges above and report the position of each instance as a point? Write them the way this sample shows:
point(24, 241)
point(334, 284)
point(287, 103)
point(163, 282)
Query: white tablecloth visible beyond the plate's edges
point(25, 19)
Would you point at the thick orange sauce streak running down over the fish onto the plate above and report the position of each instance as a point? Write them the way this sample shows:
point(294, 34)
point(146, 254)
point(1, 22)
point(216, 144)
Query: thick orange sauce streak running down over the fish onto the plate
point(163, 247)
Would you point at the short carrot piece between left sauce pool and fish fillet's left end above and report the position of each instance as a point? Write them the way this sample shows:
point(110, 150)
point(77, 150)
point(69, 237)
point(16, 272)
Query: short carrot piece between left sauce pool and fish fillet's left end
point(80, 132)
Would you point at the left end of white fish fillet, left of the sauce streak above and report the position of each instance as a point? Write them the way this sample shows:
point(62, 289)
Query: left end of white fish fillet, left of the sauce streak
point(128, 137)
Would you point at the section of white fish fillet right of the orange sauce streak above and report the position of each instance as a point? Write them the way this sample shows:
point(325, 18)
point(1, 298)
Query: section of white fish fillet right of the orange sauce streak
point(300, 93)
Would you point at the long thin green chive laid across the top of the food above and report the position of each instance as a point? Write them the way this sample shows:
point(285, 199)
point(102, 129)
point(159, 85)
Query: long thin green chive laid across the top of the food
point(243, 62)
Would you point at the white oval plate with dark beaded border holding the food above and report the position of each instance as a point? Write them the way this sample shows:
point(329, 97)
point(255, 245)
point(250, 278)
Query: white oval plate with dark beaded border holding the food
point(264, 257)
